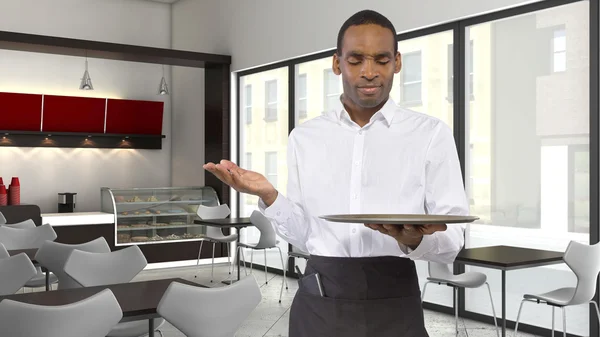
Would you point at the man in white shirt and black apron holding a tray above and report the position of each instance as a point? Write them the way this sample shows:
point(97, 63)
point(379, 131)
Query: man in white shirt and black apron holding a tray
point(369, 156)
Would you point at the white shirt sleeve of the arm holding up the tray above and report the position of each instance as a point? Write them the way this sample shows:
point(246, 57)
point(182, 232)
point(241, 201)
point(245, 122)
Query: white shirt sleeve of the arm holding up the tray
point(444, 194)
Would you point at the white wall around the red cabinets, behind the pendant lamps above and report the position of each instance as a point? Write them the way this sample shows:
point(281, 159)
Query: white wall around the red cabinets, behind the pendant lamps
point(44, 172)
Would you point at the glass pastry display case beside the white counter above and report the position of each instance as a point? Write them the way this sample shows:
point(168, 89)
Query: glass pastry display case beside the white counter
point(156, 215)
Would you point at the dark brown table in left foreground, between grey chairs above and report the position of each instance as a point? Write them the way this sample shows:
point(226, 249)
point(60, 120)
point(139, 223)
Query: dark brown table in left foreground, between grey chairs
point(138, 300)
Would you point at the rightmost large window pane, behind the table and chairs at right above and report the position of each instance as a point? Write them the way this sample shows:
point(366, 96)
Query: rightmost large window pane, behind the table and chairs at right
point(528, 163)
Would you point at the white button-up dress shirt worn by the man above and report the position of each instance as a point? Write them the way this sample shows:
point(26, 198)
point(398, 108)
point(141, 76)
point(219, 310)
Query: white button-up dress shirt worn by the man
point(400, 162)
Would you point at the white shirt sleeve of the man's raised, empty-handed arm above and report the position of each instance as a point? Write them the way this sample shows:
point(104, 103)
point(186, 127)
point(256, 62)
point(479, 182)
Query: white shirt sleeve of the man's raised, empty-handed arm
point(287, 214)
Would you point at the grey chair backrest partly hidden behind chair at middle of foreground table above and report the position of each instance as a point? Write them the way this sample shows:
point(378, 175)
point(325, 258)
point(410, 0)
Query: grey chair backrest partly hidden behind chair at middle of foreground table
point(54, 255)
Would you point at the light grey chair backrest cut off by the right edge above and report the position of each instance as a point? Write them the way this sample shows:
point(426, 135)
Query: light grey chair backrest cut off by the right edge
point(584, 261)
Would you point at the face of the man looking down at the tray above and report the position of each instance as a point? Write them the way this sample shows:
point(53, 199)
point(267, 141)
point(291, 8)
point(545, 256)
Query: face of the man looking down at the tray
point(367, 64)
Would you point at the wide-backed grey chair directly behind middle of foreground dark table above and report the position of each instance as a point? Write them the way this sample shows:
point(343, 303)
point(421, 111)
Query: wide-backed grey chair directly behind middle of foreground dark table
point(93, 269)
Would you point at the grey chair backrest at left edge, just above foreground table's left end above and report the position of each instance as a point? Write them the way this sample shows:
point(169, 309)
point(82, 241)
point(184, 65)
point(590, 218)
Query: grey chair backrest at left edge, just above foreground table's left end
point(15, 271)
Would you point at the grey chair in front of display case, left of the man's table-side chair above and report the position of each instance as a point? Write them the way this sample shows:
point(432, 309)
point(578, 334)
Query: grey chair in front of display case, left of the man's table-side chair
point(214, 234)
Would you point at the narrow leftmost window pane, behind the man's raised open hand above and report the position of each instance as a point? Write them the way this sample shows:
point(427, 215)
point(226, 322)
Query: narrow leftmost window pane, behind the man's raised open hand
point(264, 145)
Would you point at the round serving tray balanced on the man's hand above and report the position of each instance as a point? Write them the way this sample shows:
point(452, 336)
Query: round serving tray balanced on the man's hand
point(400, 219)
